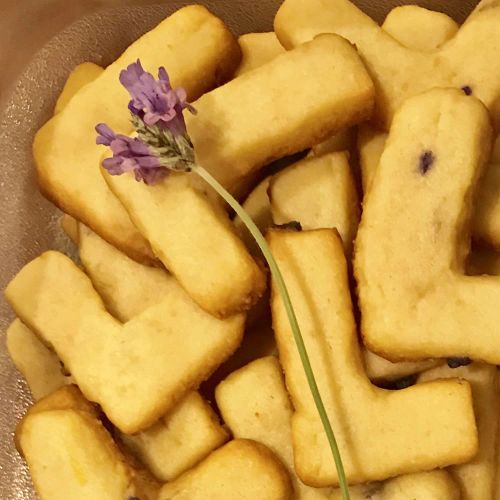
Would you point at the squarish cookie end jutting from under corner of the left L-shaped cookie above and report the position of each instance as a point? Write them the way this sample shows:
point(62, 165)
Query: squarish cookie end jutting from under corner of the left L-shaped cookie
point(181, 439)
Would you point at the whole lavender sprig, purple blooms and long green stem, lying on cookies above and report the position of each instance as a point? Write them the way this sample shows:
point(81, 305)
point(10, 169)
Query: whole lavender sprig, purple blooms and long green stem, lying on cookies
point(163, 144)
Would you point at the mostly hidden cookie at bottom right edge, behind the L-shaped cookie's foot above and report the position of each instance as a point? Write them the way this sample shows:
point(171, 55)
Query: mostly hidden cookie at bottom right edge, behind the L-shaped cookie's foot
point(476, 478)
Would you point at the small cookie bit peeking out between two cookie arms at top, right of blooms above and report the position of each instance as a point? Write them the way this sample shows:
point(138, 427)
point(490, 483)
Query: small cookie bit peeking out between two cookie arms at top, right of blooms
point(257, 49)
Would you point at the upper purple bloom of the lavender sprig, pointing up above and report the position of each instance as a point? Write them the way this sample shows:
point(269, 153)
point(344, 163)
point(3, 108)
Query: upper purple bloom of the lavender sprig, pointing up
point(155, 101)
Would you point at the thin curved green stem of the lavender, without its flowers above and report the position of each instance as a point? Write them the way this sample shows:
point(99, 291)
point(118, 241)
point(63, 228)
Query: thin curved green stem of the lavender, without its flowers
point(280, 283)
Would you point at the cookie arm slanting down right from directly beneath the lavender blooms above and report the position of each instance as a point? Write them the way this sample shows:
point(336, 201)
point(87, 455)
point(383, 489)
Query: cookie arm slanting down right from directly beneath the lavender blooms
point(195, 240)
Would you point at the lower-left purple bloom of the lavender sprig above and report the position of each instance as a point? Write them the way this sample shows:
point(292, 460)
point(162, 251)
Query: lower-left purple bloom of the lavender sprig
point(130, 155)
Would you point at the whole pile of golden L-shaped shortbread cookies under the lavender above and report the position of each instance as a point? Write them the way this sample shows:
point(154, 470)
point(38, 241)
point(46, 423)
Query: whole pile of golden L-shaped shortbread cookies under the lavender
point(163, 364)
